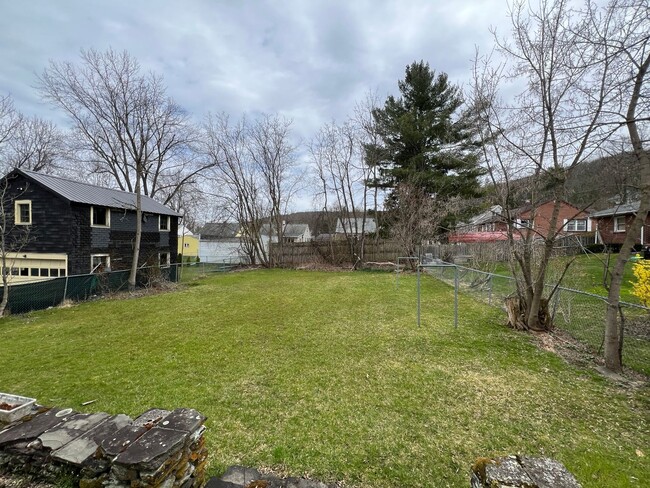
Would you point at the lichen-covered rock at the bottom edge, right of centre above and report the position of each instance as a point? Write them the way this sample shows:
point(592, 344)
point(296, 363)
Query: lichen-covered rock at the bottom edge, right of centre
point(521, 472)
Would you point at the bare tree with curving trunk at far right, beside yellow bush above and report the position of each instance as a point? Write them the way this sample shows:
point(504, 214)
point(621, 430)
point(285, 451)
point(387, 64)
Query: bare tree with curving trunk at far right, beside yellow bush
point(623, 31)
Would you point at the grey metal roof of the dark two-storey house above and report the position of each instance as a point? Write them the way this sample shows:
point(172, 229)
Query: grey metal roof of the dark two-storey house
point(80, 192)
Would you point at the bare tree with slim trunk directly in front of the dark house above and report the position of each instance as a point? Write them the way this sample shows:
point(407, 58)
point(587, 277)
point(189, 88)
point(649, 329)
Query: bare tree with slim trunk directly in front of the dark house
point(124, 123)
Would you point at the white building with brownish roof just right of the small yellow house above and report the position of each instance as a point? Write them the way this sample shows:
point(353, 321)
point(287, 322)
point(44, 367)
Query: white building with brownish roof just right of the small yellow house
point(220, 241)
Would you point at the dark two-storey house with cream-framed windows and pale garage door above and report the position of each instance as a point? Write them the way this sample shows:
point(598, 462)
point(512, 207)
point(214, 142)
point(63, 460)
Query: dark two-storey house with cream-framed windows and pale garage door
point(79, 228)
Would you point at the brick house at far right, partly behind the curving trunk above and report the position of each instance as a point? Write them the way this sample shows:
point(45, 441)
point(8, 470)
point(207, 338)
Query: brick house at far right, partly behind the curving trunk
point(613, 223)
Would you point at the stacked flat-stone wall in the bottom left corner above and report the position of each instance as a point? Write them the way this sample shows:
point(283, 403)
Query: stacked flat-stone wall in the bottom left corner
point(160, 448)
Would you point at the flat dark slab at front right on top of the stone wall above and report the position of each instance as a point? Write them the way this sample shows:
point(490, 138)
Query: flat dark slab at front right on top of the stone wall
point(151, 445)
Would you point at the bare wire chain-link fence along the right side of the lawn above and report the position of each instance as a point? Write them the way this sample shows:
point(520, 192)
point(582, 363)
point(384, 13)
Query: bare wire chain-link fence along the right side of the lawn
point(579, 314)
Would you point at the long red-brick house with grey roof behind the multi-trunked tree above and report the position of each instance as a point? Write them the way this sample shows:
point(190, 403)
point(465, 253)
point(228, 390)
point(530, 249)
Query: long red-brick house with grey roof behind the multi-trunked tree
point(491, 225)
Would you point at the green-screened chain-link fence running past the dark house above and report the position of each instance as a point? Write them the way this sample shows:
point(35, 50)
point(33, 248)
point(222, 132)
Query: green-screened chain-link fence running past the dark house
point(44, 294)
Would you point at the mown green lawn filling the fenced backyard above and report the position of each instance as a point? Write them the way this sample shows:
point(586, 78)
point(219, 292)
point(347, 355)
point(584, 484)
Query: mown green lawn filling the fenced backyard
point(327, 375)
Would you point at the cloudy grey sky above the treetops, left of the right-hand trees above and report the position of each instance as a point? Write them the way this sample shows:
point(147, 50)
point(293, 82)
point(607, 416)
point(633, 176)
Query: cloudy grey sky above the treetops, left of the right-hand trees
point(309, 60)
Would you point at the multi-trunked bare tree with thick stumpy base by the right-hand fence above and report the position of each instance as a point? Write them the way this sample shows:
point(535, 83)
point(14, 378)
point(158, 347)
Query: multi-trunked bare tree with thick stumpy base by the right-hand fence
point(550, 127)
